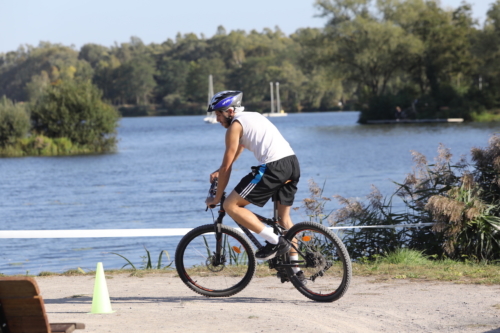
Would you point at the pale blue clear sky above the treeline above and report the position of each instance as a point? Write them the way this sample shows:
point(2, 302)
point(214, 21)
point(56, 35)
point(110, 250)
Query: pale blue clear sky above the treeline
point(106, 22)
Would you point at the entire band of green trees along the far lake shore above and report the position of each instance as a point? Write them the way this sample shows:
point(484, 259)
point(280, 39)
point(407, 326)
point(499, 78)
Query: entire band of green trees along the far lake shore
point(371, 55)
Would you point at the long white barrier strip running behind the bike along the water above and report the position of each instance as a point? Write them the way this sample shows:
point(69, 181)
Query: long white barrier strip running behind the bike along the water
point(107, 233)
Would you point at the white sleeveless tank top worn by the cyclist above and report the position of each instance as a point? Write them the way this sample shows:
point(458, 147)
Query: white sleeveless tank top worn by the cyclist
point(262, 138)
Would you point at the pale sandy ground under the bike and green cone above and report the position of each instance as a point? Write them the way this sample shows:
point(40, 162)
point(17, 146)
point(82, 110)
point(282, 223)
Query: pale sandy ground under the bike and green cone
point(162, 303)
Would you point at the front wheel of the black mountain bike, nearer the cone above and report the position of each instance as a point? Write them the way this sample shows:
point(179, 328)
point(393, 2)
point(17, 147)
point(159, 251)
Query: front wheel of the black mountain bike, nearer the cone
point(210, 273)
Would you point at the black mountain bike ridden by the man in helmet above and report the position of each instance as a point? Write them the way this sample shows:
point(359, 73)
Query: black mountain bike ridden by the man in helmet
point(216, 260)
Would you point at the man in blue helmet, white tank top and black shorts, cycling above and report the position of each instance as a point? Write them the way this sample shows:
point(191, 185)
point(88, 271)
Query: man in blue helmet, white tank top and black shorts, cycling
point(278, 171)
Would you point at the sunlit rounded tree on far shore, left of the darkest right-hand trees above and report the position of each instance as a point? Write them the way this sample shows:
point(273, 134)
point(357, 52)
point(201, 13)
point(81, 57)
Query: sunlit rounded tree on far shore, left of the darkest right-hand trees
point(364, 48)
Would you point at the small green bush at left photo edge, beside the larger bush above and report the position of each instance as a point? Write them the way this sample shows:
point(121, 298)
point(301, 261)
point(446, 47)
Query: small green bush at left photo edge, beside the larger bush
point(14, 122)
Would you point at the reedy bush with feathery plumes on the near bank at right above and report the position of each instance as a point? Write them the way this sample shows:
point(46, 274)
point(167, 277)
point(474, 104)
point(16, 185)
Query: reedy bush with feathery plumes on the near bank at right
point(463, 201)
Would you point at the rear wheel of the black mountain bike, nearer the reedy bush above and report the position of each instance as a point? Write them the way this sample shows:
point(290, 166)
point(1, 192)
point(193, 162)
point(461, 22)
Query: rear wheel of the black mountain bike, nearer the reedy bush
point(323, 260)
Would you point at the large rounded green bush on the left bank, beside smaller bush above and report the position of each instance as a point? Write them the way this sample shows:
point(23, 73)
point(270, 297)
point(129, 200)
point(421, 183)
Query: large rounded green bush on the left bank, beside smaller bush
point(75, 110)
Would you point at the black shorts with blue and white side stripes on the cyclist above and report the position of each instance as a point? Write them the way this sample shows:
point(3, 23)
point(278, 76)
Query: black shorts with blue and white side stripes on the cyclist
point(265, 180)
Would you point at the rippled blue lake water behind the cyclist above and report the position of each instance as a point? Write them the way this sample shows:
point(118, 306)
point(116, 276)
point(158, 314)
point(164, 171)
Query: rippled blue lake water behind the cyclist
point(159, 179)
